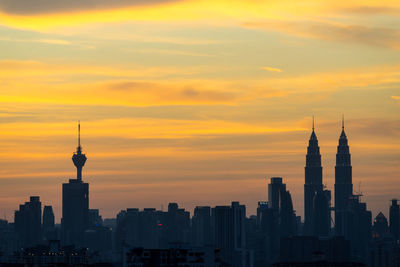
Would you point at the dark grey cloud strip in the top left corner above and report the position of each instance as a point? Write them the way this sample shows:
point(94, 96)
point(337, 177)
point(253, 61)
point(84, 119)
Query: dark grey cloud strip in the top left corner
point(28, 7)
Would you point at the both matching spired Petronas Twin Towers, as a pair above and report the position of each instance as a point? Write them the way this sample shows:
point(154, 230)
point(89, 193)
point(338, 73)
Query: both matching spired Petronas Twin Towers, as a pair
point(317, 209)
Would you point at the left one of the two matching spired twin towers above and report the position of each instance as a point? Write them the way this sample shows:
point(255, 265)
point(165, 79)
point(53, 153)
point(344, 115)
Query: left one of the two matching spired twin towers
point(313, 182)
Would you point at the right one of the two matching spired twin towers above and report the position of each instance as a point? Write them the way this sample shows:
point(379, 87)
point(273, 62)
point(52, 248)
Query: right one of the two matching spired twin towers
point(343, 182)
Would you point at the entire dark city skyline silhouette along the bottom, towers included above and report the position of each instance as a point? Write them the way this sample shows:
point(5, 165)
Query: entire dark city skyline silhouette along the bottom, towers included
point(217, 235)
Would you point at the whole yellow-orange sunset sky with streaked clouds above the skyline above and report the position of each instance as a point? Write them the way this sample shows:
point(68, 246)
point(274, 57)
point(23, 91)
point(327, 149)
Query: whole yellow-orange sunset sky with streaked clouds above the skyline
point(195, 102)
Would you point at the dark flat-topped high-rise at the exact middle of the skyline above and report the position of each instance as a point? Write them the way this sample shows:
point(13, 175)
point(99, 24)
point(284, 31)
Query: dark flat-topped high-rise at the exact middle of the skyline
point(202, 227)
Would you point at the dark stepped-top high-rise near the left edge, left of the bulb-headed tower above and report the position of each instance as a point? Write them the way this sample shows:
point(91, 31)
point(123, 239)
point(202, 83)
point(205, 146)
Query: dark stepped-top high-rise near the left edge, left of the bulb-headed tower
point(28, 223)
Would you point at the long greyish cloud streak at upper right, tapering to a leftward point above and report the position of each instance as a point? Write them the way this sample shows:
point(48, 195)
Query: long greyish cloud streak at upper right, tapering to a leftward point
point(328, 31)
